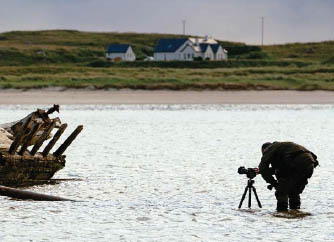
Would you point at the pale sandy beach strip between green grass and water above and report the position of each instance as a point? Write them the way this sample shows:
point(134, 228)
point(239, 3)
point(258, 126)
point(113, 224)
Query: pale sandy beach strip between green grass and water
point(103, 97)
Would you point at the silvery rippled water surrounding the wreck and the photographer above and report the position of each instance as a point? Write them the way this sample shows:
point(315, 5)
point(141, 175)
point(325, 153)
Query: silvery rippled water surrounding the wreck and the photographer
point(169, 173)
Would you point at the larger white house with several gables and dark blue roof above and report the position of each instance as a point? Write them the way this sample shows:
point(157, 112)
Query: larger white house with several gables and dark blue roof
point(187, 49)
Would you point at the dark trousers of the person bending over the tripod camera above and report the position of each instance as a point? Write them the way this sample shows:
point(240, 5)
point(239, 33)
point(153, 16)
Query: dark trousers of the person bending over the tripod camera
point(291, 186)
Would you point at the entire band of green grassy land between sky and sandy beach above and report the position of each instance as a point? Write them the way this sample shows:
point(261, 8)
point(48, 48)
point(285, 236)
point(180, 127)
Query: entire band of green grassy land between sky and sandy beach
point(30, 59)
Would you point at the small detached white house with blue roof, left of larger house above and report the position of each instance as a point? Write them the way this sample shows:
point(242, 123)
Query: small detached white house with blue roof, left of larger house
point(121, 52)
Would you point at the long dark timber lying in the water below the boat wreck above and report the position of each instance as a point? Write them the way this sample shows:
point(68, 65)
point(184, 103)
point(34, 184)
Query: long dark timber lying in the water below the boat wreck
point(27, 195)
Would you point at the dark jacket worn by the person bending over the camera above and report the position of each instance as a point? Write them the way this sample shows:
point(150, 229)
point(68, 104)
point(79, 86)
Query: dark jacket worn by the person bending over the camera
point(284, 159)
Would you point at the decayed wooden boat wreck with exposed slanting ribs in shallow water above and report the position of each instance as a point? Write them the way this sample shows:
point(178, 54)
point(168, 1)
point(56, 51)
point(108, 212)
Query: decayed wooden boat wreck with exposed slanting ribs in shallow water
point(22, 165)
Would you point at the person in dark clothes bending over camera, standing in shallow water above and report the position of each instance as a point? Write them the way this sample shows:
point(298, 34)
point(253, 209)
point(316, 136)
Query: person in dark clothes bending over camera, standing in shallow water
point(293, 165)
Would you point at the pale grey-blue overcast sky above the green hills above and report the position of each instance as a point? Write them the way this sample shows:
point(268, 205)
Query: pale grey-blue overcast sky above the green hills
point(233, 20)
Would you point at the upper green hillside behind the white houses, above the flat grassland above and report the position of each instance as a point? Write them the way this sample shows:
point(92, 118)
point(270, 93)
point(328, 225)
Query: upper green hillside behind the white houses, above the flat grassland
point(75, 47)
